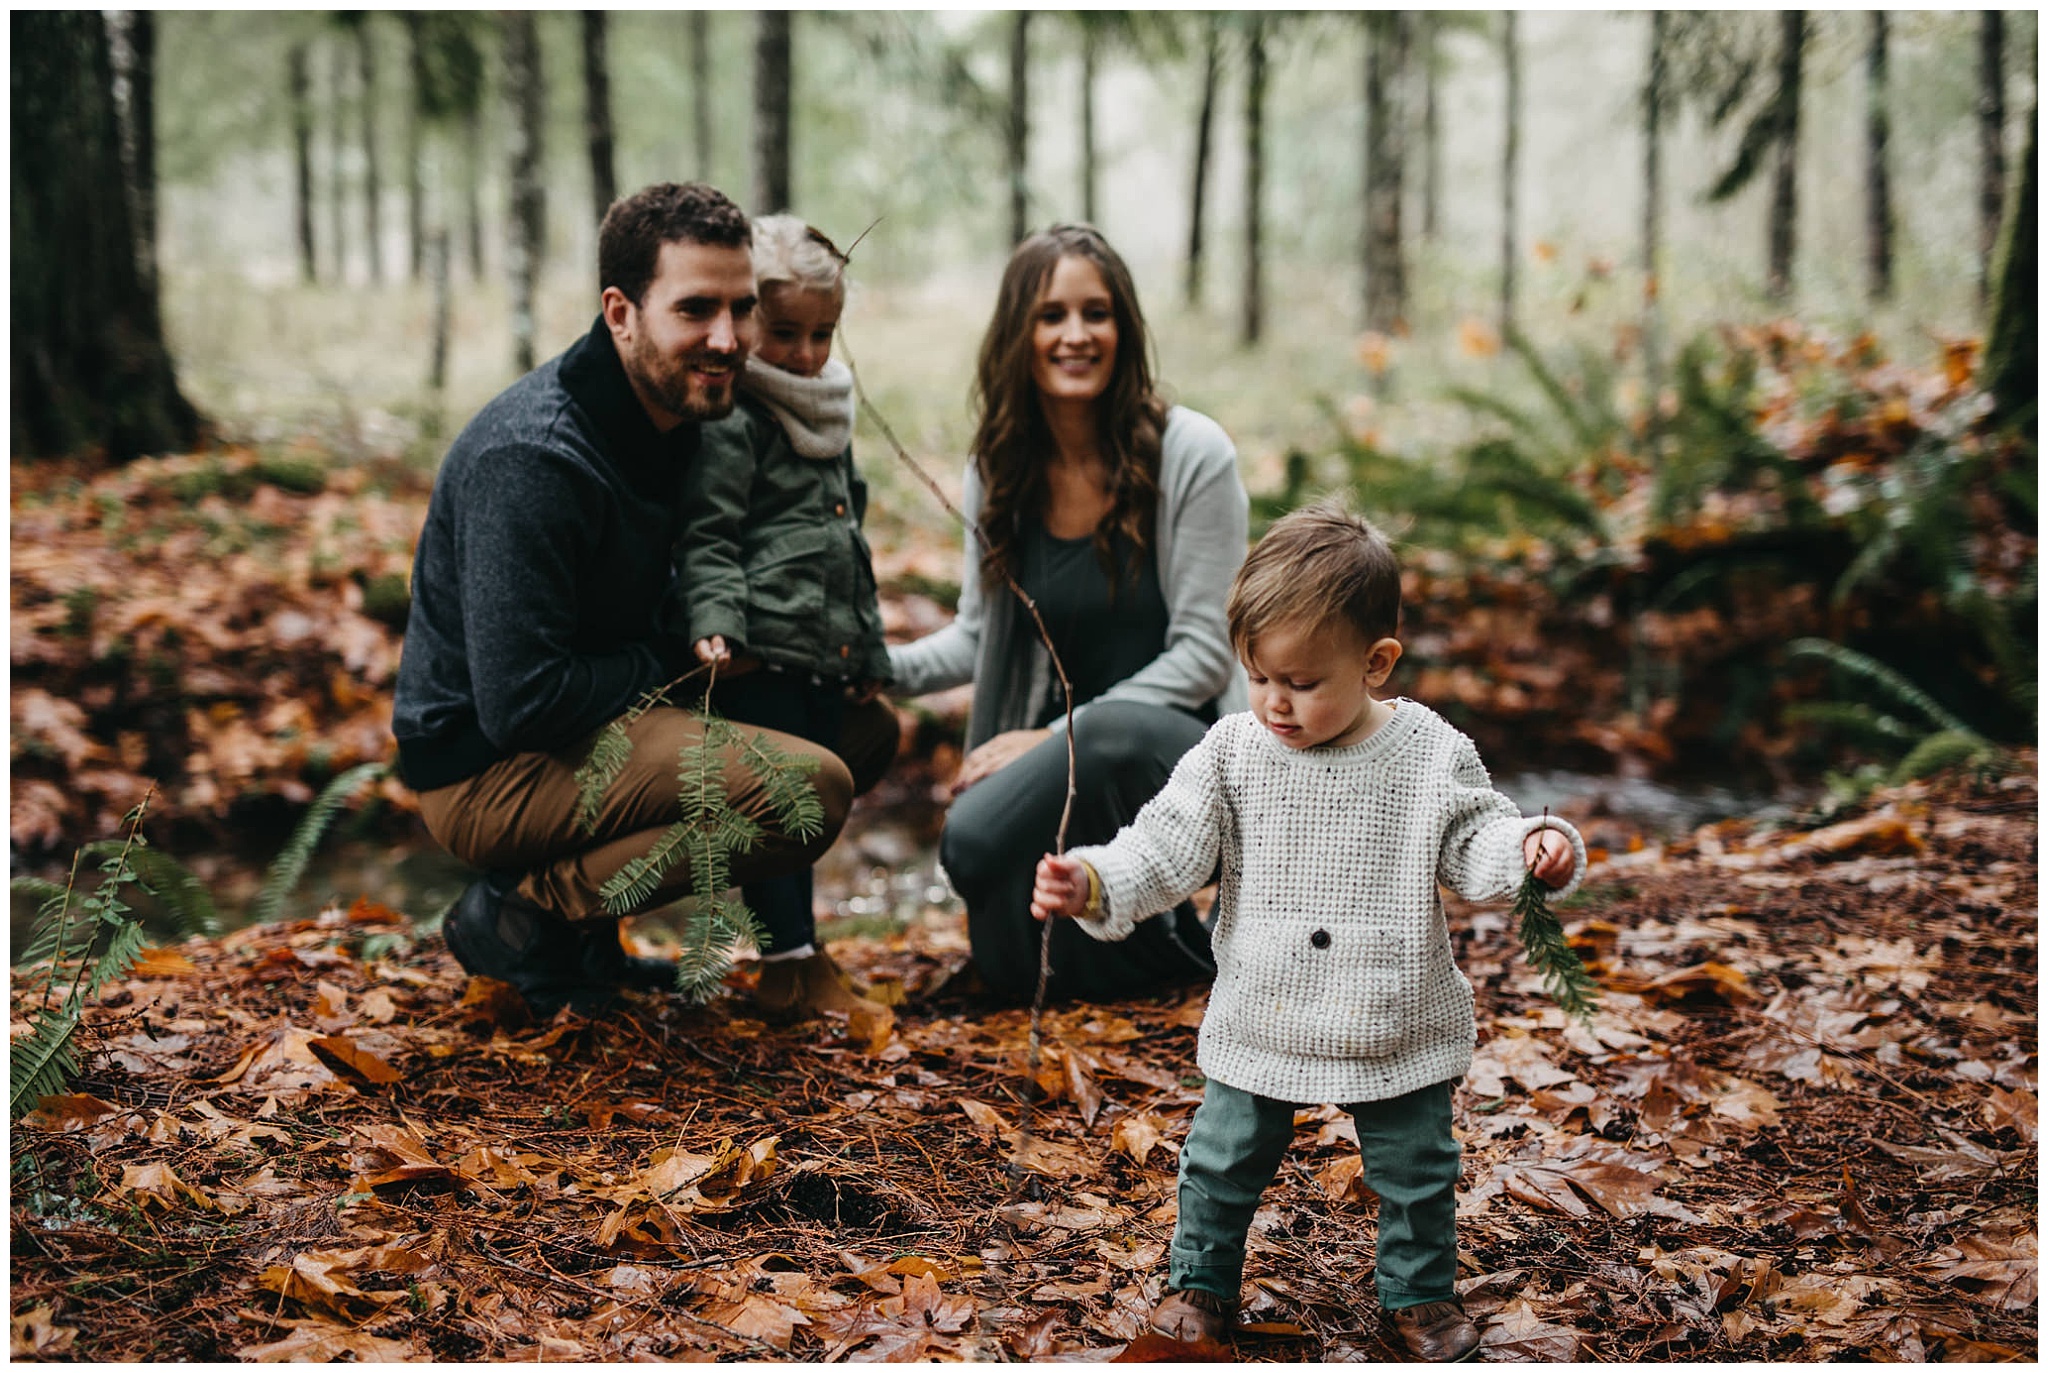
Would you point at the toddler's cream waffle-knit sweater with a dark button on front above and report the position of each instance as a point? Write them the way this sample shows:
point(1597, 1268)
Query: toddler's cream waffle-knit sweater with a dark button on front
point(1334, 972)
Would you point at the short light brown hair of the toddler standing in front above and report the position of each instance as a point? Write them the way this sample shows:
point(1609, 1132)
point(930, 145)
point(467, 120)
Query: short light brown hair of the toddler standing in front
point(1318, 567)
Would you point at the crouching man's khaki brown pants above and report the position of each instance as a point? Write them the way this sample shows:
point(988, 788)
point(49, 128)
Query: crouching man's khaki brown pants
point(519, 815)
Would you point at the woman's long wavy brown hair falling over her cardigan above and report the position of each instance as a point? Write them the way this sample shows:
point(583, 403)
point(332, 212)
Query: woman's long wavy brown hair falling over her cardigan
point(1013, 442)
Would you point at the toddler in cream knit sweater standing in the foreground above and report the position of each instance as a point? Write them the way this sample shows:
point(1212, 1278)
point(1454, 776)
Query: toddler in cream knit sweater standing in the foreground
point(1334, 817)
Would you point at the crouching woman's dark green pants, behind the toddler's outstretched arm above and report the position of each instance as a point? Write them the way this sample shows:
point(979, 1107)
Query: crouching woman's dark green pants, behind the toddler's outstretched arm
point(1000, 829)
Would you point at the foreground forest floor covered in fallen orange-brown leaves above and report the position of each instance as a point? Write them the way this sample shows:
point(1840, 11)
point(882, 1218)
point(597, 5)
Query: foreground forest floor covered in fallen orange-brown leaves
point(1801, 1126)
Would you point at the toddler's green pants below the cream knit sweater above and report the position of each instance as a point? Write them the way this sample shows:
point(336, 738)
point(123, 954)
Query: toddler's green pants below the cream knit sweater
point(1410, 1159)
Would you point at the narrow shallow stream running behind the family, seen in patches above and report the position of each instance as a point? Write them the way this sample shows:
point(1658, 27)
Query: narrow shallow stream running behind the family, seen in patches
point(886, 866)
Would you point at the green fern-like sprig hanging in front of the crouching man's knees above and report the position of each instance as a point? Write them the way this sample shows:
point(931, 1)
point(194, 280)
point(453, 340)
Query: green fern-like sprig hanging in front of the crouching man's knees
point(706, 837)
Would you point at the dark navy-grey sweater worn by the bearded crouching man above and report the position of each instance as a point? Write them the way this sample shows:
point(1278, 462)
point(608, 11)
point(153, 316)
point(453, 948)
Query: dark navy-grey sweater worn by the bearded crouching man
point(542, 573)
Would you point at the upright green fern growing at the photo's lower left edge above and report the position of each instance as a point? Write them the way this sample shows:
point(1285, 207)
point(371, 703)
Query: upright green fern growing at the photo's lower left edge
point(81, 950)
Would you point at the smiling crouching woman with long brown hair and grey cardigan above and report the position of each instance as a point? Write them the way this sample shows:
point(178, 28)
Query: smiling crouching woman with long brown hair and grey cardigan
point(1123, 519)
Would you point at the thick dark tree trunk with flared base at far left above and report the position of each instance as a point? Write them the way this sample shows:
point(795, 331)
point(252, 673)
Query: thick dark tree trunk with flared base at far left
point(89, 360)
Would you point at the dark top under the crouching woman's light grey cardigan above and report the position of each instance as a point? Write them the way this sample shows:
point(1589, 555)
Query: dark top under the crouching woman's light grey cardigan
point(1099, 638)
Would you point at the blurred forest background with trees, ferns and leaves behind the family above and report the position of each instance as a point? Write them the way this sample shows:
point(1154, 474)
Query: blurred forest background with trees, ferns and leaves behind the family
point(1693, 356)
